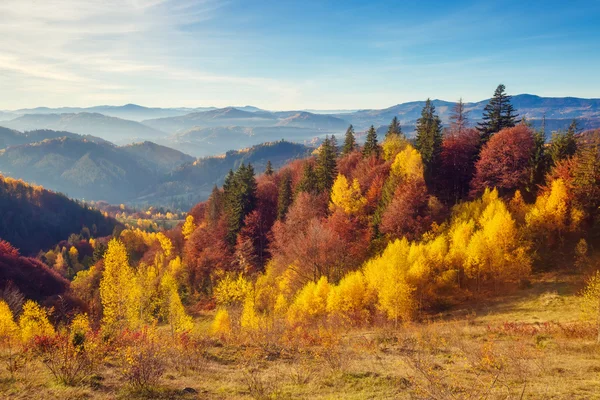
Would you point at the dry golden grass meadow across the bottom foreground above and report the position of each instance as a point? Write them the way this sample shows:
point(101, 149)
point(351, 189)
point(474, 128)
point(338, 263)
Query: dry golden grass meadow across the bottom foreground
point(529, 345)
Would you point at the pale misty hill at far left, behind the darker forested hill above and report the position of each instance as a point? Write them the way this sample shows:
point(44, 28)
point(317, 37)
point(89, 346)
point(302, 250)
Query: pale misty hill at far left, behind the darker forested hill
point(109, 128)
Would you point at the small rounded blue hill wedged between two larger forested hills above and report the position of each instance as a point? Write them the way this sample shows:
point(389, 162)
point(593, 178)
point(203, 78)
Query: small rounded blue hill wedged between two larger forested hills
point(160, 159)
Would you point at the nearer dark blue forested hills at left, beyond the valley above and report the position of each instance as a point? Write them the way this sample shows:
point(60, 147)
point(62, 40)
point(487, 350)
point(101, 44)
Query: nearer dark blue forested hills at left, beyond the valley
point(89, 168)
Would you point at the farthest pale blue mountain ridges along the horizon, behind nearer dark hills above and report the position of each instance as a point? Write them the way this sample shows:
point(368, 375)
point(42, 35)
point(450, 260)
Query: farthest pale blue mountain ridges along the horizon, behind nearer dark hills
point(210, 131)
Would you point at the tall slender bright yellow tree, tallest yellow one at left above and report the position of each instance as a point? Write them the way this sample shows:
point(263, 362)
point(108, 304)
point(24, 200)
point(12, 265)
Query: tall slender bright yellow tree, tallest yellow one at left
point(119, 290)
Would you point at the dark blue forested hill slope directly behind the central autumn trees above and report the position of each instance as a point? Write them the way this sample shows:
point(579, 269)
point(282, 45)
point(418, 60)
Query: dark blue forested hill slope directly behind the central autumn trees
point(193, 182)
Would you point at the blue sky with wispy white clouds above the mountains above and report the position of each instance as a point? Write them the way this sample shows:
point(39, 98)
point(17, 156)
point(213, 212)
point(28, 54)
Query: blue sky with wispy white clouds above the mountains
point(292, 54)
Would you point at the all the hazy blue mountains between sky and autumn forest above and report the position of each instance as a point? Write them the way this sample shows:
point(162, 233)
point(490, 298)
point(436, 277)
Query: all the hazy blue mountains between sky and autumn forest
point(77, 151)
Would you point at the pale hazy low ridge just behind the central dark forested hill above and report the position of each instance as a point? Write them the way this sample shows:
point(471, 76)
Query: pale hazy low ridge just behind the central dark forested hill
point(202, 142)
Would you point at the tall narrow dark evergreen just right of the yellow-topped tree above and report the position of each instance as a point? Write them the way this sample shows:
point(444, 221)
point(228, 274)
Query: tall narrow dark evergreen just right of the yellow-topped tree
point(429, 138)
